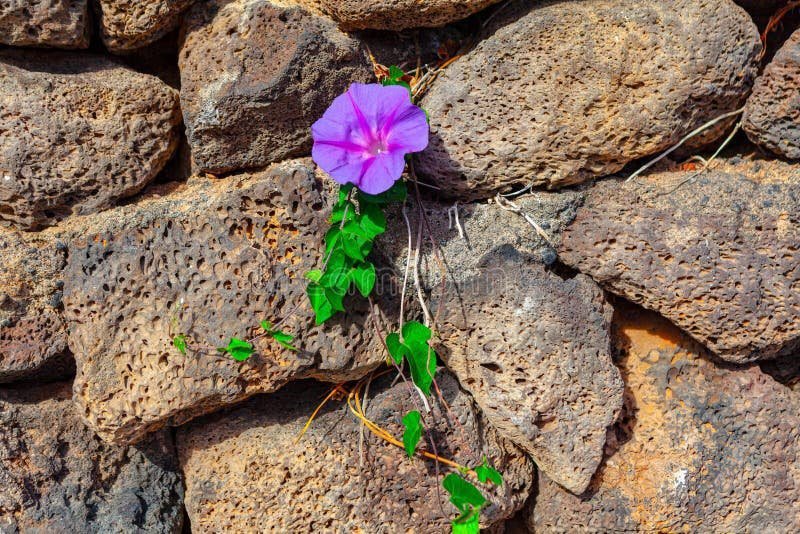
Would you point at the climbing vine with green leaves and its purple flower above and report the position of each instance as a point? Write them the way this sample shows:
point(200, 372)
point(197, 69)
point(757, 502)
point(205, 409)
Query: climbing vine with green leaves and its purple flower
point(363, 141)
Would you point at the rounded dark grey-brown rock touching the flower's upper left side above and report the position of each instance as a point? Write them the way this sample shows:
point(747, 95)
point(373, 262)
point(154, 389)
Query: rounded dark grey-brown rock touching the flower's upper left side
point(255, 75)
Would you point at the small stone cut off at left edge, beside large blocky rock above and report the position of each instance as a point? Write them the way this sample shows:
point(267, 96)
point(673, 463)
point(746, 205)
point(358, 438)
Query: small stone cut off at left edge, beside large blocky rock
point(33, 336)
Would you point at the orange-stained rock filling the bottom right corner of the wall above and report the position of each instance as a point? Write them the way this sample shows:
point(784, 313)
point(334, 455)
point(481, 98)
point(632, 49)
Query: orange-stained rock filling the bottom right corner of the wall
point(703, 448)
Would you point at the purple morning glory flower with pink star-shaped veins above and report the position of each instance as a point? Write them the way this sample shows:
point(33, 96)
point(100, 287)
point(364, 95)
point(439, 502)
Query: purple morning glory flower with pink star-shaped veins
point(366, 132)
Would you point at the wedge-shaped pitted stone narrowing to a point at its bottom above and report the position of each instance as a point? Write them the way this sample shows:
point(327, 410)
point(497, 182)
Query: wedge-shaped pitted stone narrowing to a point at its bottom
point(534, 351)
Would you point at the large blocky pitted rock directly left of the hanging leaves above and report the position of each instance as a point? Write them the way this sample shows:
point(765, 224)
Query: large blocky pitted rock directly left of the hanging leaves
point(210, 260)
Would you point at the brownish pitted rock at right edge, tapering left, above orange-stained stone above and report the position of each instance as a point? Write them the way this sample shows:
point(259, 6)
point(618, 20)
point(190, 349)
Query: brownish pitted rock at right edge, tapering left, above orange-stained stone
point(718, 255)
